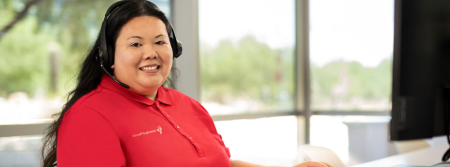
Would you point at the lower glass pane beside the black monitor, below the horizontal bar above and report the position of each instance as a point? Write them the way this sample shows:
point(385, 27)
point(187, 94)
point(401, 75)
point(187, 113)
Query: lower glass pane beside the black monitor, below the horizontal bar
point(355, 139)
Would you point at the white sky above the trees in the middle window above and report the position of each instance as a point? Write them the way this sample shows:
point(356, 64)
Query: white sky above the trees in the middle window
point(271, 22)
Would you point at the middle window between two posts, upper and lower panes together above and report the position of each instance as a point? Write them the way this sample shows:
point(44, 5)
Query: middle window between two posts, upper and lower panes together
point(247, 68)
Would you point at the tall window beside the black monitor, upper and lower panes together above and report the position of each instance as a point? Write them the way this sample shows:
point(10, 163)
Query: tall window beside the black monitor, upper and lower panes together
point(351, 48)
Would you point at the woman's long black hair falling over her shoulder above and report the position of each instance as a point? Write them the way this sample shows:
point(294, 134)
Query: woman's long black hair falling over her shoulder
point(90, 73)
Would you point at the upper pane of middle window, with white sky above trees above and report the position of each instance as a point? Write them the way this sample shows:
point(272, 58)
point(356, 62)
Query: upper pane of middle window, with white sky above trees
point(246, 55)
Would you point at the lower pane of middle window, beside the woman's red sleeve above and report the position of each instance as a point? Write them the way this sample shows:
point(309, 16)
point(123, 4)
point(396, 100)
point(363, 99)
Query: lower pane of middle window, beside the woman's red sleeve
point(264, 141)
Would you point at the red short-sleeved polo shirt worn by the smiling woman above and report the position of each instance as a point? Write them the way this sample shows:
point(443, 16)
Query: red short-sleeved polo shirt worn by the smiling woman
point(113, 126)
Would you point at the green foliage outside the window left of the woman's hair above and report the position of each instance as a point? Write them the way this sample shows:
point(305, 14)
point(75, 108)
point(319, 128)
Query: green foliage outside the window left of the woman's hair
point(24, 50)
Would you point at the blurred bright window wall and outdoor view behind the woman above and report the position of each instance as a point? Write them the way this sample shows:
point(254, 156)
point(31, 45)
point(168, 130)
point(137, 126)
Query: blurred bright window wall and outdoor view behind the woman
point(274, 74)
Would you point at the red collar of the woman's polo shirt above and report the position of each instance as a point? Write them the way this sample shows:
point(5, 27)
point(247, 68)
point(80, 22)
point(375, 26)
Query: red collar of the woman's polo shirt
point(162, 96)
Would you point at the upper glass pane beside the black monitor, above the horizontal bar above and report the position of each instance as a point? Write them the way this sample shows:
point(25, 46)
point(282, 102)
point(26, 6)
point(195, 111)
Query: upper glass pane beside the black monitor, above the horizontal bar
point(351, 47)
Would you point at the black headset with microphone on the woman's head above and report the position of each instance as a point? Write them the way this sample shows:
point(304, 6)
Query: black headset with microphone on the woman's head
point(105, 59)
